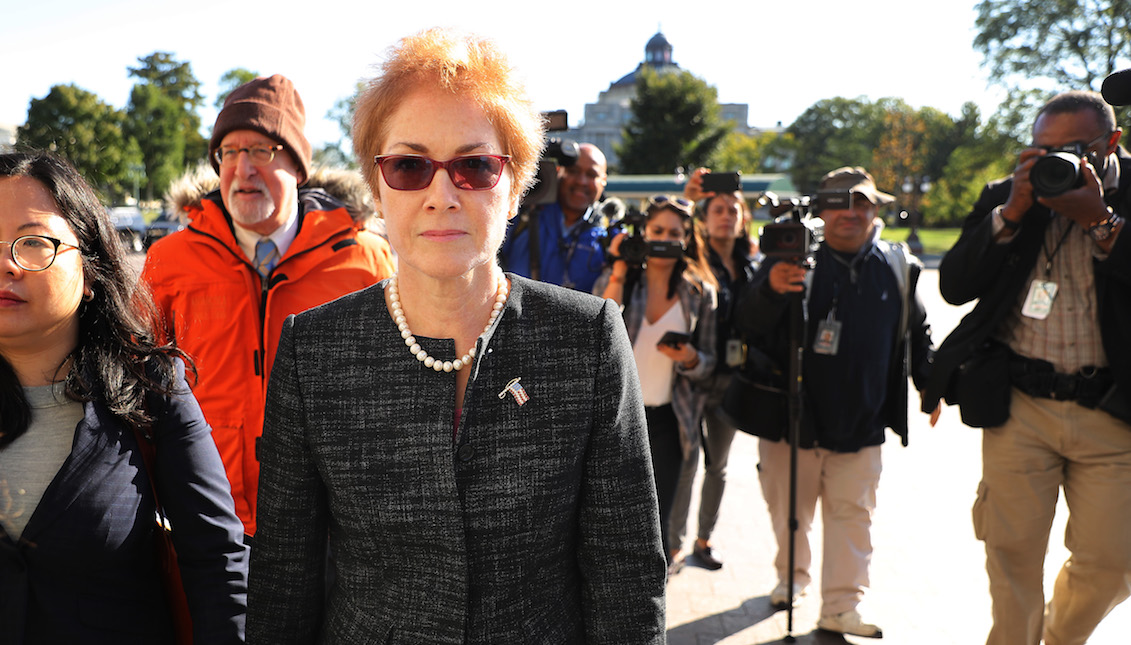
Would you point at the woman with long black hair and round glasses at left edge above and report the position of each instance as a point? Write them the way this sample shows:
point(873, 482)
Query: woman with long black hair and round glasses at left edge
point(82, 385)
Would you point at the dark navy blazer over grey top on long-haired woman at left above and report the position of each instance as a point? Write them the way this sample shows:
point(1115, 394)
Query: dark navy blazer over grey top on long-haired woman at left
point(85, 570)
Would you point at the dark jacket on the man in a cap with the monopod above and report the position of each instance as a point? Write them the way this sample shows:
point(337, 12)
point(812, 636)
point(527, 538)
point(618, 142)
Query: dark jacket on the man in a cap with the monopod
point(764, 316)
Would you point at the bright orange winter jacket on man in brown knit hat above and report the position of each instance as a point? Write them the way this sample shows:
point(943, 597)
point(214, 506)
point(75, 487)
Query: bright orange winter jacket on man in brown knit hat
point(229, 321)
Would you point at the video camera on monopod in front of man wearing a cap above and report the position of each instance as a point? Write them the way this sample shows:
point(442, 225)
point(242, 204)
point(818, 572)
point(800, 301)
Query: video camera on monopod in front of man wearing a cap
point(796, 236)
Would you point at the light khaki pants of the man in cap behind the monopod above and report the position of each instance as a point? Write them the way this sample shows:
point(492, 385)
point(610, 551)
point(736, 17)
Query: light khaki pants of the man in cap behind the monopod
point(847, 485)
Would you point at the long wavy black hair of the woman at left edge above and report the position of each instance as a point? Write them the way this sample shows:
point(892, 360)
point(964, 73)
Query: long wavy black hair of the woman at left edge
point(118, 359)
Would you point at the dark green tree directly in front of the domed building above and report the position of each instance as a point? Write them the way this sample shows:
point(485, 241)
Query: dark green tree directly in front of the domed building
point(676, 123)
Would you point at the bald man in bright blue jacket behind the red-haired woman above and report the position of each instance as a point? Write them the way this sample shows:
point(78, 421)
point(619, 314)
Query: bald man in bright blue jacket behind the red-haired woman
point(564, 243)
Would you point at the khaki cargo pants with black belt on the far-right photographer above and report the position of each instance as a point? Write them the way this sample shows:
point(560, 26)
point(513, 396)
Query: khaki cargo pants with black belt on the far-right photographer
point(1048, 445)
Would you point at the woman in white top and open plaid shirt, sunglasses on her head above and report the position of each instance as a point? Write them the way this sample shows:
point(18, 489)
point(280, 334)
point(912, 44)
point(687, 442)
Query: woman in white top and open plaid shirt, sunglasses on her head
point(661, 280)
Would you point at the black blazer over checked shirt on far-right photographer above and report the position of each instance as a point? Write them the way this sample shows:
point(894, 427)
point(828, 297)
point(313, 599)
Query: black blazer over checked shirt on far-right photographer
point(996, 274)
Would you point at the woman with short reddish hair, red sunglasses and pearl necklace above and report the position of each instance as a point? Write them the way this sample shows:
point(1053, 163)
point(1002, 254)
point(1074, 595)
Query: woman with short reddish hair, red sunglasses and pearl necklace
point(472, 444)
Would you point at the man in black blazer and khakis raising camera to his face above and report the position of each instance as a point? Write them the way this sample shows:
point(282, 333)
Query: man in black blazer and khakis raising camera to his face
point(1042, 364)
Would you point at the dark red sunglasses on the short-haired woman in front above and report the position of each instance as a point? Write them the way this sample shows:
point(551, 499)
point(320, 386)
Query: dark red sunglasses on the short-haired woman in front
point(468, 173)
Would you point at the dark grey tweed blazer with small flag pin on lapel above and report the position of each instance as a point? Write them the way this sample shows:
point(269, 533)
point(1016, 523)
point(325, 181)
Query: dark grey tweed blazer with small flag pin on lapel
point(534, 524)
